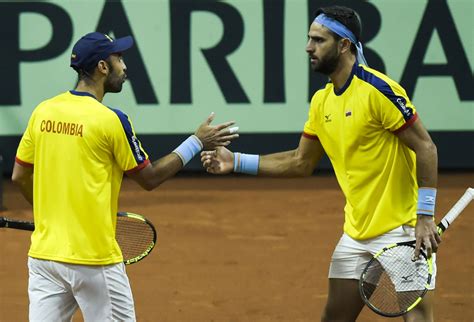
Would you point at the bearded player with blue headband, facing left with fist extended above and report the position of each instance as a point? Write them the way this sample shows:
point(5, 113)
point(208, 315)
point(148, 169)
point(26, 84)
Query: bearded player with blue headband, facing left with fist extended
point(384, 159)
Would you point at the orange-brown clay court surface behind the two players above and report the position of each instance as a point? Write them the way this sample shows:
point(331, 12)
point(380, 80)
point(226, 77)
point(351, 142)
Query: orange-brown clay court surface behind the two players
point(245, 249)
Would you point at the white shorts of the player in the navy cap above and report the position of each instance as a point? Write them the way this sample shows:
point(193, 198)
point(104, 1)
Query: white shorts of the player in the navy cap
point(56, 290)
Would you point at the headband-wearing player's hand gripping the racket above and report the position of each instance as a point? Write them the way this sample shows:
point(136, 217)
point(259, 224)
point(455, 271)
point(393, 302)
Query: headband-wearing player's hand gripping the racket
point(427, 235)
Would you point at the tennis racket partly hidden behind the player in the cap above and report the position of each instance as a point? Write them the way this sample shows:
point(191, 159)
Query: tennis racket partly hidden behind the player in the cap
point(135, 234)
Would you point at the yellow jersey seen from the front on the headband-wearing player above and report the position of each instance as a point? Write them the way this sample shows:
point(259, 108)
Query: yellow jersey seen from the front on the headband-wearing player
point(376, 171)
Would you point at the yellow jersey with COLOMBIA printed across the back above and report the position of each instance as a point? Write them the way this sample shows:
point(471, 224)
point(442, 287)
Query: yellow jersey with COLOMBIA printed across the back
point(80, 149)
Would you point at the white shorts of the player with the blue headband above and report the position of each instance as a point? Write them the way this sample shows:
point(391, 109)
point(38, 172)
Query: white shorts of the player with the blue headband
point(351, 256)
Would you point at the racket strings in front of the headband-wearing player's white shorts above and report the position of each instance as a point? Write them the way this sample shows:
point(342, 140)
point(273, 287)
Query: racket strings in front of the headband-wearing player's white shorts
point(393, 282)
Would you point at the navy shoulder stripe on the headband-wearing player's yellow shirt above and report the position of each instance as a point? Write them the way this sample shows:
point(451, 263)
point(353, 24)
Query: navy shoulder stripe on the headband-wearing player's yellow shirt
point(383, 87)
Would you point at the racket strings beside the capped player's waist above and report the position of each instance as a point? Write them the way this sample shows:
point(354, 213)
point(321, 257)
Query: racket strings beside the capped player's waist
point(134, 236)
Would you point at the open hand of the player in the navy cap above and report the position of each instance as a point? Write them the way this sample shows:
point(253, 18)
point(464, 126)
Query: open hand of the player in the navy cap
point(214, 136)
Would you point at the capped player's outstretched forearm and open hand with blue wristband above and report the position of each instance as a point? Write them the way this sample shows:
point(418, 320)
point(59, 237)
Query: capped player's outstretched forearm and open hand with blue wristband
point(206, 136)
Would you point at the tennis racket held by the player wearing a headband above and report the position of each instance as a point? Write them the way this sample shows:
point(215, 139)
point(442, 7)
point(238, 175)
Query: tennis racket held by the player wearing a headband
point(391, 283)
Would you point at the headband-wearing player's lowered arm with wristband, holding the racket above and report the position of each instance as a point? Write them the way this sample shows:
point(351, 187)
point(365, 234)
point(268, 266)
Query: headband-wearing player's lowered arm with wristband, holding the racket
point(417, 139)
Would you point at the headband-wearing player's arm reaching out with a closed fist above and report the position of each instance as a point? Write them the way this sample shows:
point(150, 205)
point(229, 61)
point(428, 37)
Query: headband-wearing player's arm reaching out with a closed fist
point(295, 163)
